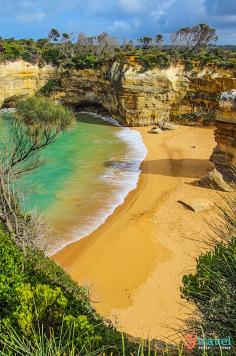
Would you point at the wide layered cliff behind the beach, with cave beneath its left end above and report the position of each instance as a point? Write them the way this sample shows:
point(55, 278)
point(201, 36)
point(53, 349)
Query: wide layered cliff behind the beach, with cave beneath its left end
point(138, 98)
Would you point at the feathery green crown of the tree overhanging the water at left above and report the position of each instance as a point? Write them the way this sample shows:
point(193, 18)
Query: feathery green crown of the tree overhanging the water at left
point(37, 123)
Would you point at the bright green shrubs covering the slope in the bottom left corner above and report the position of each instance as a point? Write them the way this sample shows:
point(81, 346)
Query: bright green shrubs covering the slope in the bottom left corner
point(38, 295)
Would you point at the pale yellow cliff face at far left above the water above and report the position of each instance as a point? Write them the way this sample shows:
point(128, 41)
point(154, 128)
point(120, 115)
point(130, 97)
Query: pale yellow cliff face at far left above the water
point(20, 78)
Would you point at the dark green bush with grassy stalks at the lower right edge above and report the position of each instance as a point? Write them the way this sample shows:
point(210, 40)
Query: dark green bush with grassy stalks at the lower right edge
point(213, 287)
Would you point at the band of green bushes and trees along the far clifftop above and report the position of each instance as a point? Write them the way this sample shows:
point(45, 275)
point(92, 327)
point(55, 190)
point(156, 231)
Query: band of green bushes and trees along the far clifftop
point(192, 46)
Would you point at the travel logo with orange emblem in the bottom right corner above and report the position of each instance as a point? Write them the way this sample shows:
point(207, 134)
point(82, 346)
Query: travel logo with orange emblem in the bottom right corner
point(191, 341)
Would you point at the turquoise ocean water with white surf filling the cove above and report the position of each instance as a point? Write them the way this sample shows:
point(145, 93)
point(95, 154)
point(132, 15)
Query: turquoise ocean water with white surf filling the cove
point(82, 178)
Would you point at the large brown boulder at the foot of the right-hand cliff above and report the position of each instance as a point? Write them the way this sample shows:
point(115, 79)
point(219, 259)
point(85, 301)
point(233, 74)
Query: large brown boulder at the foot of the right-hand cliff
point(215, 180)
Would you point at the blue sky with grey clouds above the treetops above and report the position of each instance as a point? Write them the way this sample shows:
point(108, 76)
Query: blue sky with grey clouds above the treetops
point(124, 19)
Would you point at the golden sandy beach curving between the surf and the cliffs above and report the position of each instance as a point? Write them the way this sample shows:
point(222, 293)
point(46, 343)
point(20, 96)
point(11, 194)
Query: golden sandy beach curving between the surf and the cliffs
point(134, 263)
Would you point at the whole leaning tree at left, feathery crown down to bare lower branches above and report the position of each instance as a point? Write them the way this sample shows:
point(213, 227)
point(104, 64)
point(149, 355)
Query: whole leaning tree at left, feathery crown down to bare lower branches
point(37, 124)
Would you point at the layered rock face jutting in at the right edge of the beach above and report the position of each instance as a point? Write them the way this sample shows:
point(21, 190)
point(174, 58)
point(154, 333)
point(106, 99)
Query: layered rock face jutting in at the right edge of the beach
point(224, 155)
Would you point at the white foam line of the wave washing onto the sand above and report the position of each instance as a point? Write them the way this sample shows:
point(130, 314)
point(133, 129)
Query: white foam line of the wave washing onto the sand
point(127, 181)
